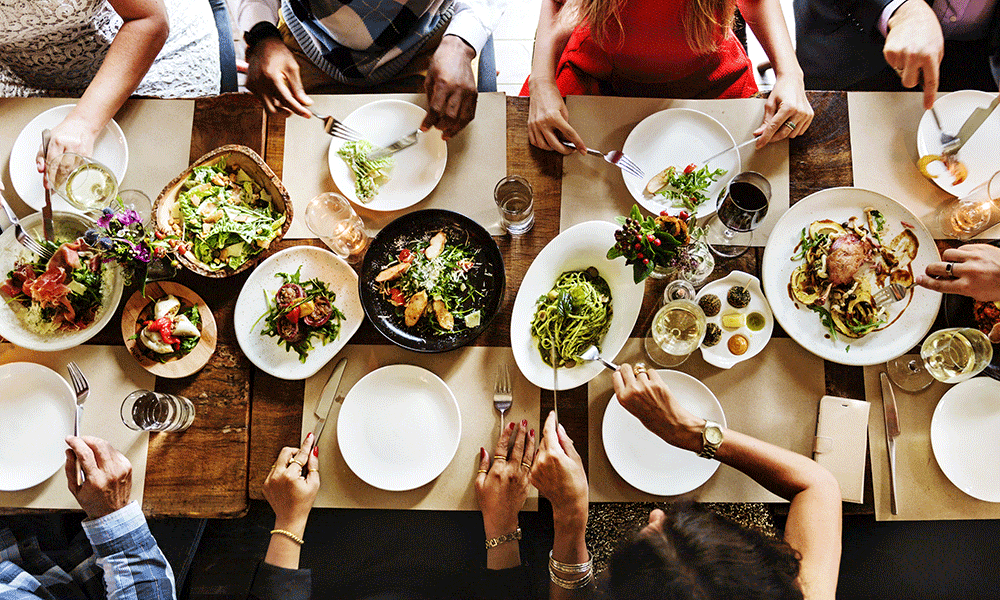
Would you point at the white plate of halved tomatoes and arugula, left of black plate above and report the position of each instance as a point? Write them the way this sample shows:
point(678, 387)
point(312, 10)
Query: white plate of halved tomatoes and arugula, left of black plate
point(297, 310)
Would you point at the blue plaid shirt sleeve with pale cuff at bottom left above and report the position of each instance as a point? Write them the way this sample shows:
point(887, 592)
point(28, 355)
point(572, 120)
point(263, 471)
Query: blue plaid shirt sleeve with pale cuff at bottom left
point(133, 565)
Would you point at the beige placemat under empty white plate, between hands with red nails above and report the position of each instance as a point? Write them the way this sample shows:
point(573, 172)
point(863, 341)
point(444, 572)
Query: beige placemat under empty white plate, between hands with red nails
point(470, 372)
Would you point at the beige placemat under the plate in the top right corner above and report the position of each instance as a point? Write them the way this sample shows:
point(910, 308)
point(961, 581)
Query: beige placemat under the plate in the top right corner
point(884, 153)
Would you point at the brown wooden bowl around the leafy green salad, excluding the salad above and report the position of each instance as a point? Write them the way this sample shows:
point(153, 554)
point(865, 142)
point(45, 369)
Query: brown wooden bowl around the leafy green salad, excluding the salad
point(164, 209)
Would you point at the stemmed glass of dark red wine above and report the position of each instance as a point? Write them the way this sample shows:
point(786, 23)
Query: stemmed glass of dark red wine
point(742, 205)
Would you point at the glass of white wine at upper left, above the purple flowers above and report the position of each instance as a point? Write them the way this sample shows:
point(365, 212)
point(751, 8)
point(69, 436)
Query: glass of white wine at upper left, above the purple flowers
point(83, 182)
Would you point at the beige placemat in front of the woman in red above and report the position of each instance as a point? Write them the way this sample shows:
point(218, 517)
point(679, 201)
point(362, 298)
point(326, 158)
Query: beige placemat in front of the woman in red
point(594, 190)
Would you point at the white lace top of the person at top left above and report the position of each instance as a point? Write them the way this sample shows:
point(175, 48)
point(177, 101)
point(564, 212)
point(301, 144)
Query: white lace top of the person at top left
point(55, 47)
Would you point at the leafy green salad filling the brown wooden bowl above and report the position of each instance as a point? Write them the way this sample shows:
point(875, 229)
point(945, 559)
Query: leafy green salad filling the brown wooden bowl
point(228, 217)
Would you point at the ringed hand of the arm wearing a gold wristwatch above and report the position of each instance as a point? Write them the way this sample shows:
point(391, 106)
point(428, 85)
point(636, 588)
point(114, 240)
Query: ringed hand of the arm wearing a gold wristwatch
point(651, 401)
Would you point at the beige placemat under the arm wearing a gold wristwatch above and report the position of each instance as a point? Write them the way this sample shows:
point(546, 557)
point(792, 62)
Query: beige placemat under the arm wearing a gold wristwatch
point(773, 397)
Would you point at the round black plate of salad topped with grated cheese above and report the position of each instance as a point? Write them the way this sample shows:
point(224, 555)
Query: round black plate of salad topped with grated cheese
point(432, 281)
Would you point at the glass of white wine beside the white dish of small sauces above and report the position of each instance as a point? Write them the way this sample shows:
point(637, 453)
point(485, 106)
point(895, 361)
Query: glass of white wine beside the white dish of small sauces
point(678, 328)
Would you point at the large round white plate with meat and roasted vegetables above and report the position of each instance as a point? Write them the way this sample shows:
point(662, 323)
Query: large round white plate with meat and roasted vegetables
point(840, 246)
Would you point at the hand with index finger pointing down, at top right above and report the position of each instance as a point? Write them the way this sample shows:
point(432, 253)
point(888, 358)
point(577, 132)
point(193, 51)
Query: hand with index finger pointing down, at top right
point(914, 47)
